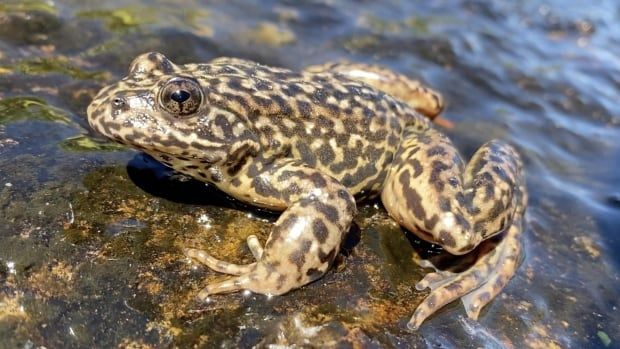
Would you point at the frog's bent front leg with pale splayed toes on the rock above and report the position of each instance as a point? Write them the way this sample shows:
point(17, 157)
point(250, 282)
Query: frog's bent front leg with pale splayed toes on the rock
point(304, 240)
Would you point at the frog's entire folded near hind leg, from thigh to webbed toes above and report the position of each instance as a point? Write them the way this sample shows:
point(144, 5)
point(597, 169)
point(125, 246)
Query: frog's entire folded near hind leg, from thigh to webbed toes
point(431, 193)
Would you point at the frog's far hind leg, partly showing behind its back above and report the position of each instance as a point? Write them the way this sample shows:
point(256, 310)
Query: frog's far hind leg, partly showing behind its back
point(419, 96)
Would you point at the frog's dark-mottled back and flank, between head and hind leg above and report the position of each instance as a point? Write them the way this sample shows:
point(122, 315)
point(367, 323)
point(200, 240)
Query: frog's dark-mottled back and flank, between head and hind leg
point(339, 126)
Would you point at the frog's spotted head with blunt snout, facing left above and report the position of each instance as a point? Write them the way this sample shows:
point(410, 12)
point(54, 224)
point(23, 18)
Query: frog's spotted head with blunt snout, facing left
point(160, 107)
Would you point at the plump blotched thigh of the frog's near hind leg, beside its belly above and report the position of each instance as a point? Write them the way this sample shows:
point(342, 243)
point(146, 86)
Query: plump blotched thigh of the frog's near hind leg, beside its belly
point(423, 187)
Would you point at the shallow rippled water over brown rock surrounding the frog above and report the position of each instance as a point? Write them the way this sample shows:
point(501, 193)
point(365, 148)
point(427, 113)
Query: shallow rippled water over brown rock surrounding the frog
point(544, 76)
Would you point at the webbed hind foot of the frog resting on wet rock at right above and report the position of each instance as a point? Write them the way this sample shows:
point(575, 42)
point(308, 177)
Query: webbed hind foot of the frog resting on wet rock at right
point(496, 264)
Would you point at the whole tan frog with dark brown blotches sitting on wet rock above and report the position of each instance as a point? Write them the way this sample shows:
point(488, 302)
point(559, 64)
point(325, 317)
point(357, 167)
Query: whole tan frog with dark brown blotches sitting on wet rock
point(313, 143)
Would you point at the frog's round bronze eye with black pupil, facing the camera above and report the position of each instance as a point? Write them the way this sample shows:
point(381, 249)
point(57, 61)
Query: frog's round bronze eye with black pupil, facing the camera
point(180, 96)
